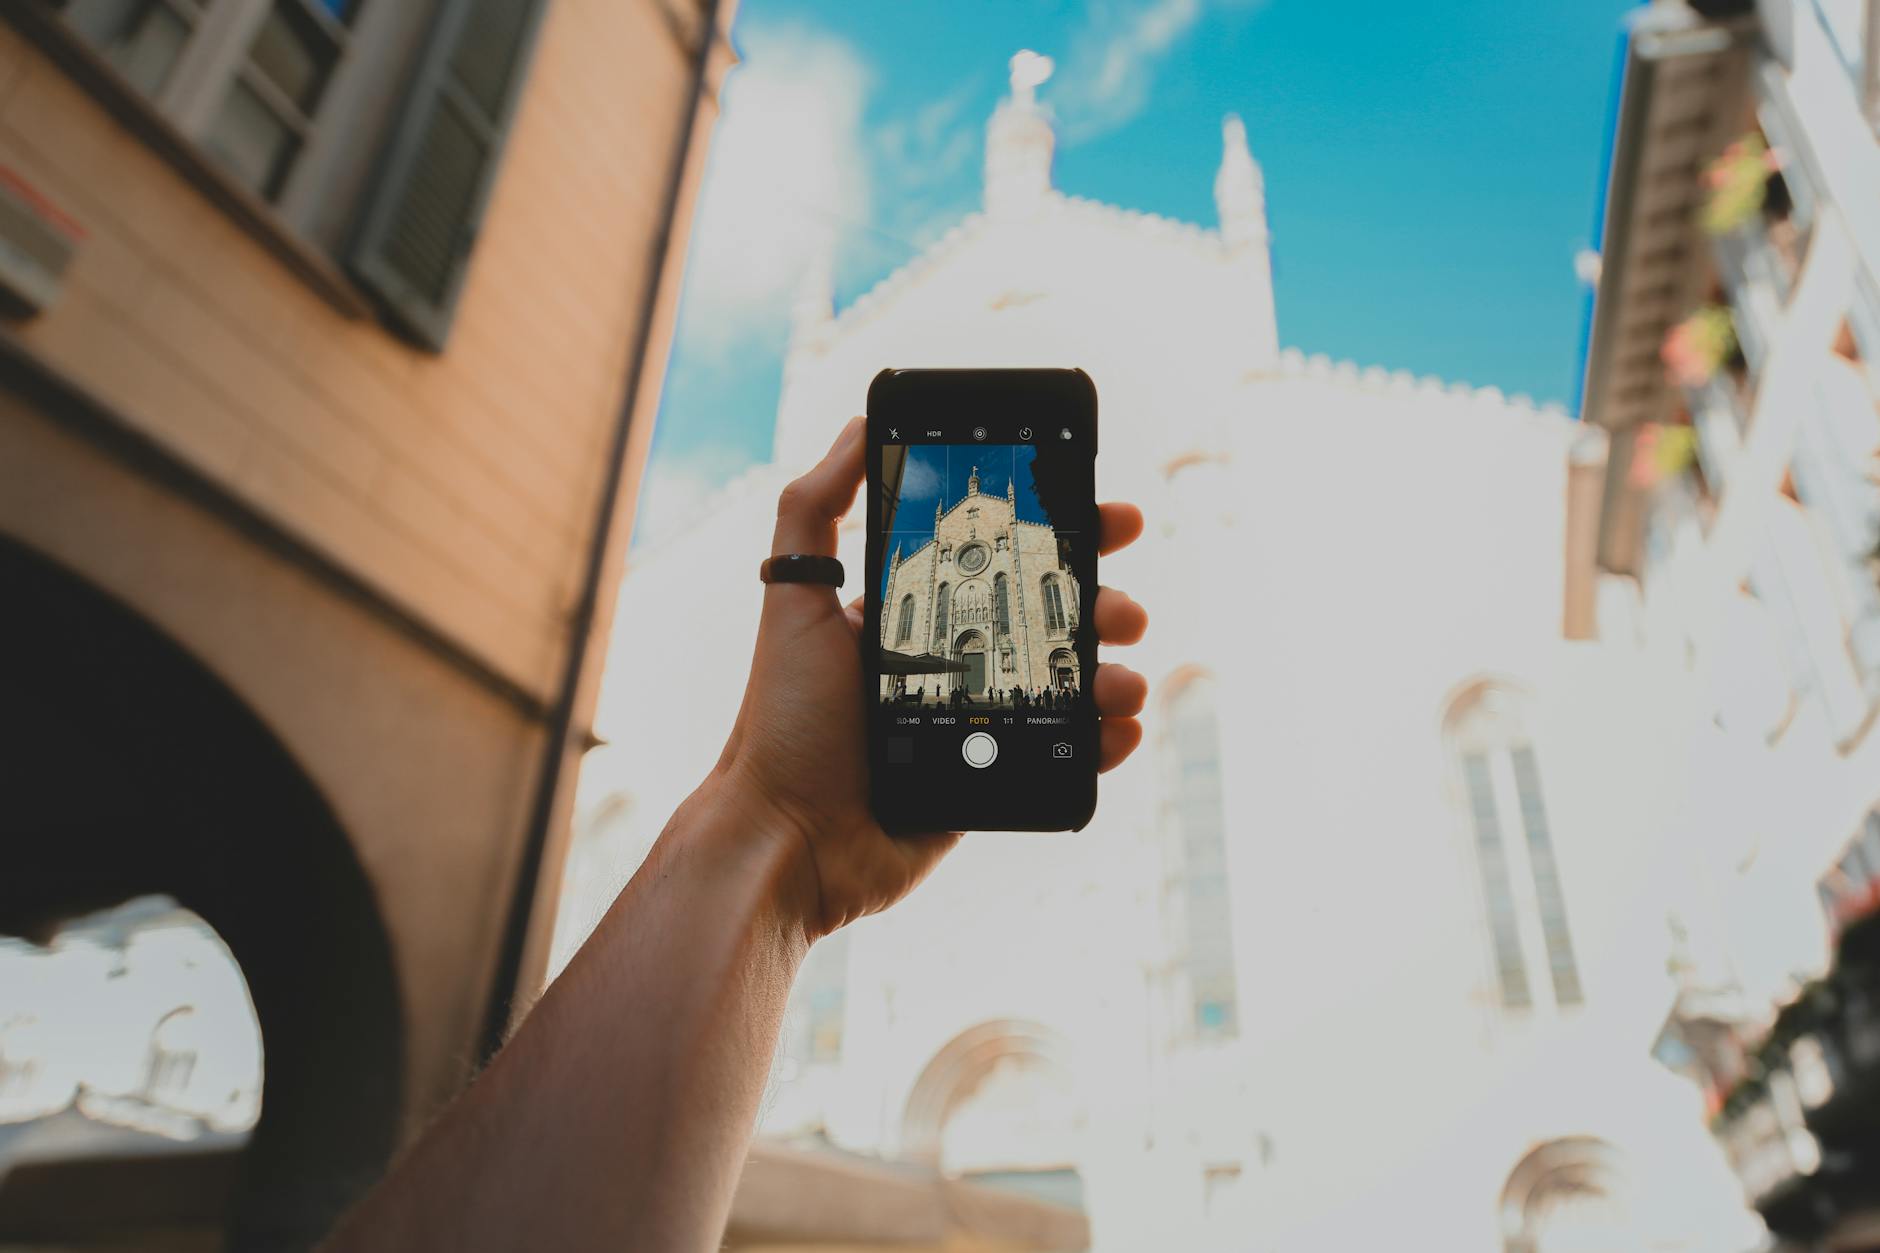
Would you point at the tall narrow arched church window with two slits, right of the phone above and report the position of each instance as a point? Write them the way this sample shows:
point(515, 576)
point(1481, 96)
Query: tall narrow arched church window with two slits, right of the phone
point(1524, 900)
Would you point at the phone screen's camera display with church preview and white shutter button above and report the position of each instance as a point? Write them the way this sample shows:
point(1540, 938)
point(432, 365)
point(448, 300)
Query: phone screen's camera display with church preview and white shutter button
point(980, 601)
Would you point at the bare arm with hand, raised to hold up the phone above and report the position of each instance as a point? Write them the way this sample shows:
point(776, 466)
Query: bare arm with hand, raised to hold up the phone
point(621, 1111)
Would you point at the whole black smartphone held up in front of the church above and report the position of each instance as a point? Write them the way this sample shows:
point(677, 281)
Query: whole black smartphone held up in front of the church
point(979, 637)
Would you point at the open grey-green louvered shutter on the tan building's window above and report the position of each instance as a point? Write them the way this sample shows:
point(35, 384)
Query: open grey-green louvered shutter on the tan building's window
point(424, 214)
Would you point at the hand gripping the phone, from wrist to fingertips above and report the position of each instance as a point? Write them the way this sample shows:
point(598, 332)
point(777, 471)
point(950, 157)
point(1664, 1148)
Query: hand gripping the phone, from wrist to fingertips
point(798, 748)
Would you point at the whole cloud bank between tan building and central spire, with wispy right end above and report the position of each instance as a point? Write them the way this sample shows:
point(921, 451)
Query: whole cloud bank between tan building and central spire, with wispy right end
point(791, 176)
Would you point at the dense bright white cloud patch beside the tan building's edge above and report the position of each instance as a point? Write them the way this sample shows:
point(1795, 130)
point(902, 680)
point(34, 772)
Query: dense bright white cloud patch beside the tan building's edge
point(787, 168)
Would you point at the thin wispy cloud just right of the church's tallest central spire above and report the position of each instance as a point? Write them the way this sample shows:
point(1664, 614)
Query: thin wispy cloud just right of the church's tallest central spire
point(1114, 61)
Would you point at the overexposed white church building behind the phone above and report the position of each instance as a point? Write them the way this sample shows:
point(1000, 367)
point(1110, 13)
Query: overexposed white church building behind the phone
point(1360, 949)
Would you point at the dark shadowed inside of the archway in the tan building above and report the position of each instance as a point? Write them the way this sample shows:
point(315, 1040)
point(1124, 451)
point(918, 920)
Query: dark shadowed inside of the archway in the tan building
point(138, 772)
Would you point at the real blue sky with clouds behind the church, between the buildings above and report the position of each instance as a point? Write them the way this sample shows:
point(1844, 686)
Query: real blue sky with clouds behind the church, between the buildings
point(1432, 174)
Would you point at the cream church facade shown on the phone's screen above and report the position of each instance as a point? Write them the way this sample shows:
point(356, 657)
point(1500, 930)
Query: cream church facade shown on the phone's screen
point(990, 594)
